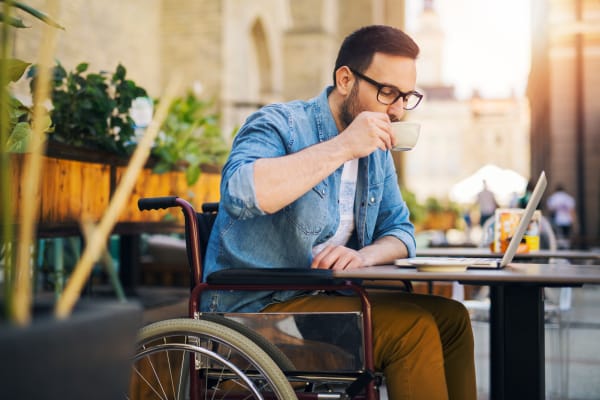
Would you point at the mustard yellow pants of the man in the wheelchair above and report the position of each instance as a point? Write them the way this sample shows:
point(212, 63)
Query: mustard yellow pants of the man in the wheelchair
point(423, 344)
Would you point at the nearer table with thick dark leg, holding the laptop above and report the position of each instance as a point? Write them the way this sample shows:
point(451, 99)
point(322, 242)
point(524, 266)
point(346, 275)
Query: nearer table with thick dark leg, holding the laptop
point(516, 316)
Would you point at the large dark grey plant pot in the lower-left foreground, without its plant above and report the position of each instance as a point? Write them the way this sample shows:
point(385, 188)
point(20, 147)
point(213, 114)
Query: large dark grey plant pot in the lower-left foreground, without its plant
point(86, 356)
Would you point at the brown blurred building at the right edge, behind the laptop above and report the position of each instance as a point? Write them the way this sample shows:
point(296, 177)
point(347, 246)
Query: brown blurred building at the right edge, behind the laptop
point(565, 115)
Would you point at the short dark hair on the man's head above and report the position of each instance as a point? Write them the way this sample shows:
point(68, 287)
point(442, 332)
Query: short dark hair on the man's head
point(358, 48)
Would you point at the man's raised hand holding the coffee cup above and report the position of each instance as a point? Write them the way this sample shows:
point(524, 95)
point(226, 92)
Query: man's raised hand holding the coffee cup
point(369, 131)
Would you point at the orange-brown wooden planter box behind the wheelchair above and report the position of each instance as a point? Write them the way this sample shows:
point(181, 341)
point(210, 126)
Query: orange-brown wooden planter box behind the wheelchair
point(78, 183)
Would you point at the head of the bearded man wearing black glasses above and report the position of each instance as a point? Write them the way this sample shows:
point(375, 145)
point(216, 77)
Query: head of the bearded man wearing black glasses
point(376, 71)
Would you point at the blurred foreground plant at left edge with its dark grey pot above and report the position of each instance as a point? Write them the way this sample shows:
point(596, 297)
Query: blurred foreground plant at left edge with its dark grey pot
point(45, 357)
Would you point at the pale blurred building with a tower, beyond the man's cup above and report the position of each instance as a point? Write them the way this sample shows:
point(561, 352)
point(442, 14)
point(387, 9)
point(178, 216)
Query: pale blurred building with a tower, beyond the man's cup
point(459, 135)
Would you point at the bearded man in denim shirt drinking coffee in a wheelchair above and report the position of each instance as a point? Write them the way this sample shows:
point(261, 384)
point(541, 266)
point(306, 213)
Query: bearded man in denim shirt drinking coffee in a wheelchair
point(312, 184)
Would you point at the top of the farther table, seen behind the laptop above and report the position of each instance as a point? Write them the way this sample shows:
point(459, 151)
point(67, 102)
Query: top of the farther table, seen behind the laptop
point(485, 252)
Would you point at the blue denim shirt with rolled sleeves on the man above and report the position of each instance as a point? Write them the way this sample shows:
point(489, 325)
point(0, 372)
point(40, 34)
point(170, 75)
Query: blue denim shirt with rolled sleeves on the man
point(245, 236)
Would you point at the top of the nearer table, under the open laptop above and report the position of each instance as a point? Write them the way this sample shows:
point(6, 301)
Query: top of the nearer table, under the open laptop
point(521, 273)
